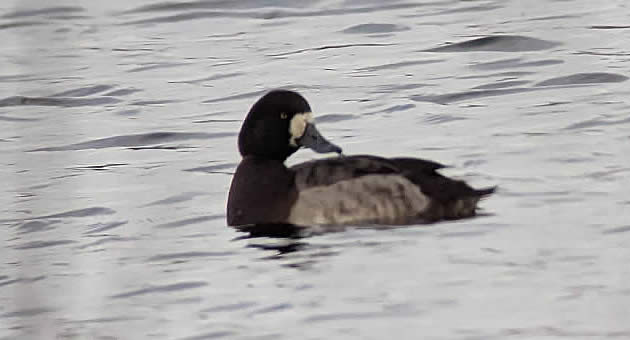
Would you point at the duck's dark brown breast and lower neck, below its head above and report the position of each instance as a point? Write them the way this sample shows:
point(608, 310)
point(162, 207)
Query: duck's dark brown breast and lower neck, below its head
point(262, 191)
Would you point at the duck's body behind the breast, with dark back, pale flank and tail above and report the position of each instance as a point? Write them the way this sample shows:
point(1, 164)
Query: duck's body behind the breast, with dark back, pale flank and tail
point(379, 190)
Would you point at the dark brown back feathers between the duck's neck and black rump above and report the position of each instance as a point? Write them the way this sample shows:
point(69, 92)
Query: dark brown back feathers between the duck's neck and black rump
point(328, 171)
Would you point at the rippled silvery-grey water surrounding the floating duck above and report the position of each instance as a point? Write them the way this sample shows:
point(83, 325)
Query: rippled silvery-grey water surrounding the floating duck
point(118, 141)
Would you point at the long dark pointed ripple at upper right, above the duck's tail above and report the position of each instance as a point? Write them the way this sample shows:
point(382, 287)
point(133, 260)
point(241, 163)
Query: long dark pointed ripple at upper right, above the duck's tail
point(498, 43)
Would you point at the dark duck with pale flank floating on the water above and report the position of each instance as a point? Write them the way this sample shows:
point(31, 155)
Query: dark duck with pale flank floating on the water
point(339, 190)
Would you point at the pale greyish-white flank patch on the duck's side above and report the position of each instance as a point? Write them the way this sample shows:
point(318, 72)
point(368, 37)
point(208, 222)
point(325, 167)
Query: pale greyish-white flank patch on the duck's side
point(380, 199)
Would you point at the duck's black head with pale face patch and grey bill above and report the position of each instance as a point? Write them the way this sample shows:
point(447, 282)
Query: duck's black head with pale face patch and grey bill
point(279, 124)
